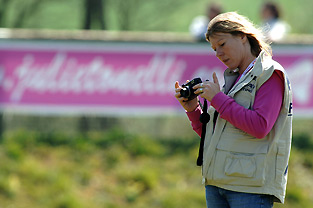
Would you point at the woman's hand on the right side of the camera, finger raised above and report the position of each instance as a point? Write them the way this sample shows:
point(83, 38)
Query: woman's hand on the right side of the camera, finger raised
point(208, 89)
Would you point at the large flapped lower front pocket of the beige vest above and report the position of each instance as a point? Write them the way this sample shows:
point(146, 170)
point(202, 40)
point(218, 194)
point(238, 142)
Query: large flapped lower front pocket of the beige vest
point(235, 168)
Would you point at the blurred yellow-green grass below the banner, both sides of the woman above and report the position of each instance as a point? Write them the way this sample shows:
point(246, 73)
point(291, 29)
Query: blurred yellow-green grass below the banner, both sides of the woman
point(117, 168)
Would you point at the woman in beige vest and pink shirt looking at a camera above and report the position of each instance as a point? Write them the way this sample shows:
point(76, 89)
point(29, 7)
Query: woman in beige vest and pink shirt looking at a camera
point(248, 138)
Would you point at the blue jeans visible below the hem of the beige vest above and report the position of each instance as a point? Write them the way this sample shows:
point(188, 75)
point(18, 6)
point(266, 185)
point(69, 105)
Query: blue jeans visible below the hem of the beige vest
point(221, 198)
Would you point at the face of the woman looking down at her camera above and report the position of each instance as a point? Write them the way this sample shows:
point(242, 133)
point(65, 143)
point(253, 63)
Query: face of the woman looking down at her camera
point(230, 49)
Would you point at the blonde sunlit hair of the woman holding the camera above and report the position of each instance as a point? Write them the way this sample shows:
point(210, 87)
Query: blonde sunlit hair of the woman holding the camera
point(235, 24)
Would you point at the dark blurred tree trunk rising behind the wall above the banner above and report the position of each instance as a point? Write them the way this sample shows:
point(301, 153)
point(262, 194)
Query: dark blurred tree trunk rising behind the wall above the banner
point(94, 14)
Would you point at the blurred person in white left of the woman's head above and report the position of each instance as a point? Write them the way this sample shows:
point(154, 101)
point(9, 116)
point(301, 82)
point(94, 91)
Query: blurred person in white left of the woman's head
point(199, 24)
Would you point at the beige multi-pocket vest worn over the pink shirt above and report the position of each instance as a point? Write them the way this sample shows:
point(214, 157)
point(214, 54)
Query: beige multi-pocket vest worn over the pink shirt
point(237, 161)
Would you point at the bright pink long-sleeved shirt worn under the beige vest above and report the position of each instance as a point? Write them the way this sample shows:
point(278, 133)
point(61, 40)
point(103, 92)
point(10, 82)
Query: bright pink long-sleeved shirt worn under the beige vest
point(257, 122)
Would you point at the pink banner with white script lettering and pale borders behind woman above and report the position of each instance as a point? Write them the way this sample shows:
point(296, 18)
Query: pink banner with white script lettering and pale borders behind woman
point(119, 79)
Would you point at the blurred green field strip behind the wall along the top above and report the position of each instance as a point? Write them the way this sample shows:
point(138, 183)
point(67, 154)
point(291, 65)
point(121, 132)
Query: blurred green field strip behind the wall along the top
point(139, 15)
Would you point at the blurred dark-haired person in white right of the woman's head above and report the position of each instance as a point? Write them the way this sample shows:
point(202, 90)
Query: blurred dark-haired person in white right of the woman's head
point(274, 28)
